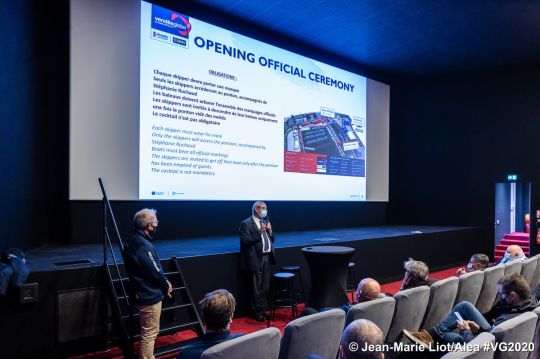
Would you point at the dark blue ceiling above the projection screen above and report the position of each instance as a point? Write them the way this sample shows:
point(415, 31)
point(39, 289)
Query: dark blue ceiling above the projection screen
point(404, 37)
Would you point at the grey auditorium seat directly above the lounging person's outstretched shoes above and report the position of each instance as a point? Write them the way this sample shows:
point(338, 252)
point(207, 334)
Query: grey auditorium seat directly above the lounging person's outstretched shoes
point(411, 305)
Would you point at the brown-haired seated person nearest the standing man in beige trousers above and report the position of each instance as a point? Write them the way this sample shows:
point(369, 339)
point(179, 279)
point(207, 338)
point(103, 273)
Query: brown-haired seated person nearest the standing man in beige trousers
point(217, 309)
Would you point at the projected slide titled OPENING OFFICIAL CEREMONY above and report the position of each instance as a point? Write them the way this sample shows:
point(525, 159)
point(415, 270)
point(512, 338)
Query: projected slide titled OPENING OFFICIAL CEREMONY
point(227, 117)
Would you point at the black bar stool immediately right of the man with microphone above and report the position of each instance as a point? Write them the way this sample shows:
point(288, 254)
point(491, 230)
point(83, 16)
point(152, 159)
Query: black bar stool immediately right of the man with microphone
point(282, 294)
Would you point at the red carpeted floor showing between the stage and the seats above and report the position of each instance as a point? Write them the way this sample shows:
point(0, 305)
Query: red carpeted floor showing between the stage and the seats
point(245, 325)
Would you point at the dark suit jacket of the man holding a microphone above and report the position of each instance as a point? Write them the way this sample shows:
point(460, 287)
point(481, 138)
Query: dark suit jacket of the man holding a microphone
point(251, 245)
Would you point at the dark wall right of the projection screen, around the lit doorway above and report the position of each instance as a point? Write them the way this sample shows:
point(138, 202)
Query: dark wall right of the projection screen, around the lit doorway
point(453, 137)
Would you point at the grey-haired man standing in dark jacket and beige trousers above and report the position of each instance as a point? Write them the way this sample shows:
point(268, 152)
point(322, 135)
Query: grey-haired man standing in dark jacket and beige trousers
point(148, 282)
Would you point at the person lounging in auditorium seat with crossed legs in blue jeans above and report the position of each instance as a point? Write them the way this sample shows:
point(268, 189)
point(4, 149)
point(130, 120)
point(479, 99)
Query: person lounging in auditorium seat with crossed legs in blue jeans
point(515, 298)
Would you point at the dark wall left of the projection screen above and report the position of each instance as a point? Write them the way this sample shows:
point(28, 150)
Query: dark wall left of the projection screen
point(34, 127)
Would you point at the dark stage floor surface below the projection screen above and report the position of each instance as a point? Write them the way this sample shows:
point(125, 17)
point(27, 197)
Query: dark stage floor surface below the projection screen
point(47, 258)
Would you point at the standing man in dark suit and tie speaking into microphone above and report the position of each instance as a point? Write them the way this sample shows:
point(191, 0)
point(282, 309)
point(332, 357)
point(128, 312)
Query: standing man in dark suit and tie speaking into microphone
point(256, 255)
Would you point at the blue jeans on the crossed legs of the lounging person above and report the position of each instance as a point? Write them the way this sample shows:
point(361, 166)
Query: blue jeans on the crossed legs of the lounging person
point(445, 329)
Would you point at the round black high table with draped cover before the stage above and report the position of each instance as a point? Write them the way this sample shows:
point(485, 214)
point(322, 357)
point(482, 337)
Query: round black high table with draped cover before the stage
point(328, 266)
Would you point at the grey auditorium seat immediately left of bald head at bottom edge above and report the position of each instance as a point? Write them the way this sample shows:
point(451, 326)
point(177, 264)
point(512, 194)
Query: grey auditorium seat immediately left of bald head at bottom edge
point(318, 333)
